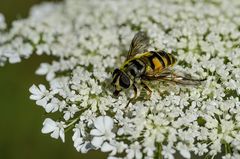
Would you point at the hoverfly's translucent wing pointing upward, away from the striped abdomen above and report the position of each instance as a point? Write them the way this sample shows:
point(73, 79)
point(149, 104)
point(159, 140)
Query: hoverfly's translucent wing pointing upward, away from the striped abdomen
point(139, 44)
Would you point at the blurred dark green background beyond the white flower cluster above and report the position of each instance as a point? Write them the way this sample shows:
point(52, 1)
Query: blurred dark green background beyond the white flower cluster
point(20, 119)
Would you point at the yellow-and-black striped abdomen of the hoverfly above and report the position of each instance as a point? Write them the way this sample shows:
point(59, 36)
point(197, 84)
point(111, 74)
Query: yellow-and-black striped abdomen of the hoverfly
point(159, 60)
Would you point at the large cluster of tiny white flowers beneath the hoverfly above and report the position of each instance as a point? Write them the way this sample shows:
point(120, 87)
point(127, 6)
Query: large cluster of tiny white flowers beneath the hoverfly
point(90, 38)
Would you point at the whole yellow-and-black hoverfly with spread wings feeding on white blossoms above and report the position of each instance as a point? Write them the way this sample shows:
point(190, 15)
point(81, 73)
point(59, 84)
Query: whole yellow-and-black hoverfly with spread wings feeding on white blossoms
point(142, 65)
